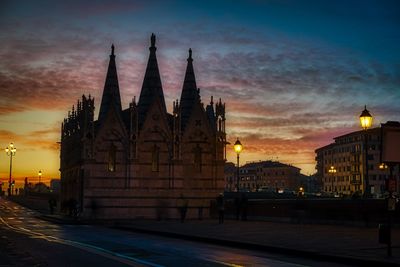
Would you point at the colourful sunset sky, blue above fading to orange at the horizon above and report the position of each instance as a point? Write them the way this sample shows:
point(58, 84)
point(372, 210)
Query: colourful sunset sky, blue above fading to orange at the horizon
point(293, 73)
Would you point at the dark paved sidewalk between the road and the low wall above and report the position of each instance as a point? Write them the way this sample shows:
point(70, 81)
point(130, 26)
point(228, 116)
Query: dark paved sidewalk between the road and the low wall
point(337, 243)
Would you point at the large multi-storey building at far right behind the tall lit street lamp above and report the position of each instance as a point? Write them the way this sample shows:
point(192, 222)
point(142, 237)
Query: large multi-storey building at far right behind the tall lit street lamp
point(346, 157)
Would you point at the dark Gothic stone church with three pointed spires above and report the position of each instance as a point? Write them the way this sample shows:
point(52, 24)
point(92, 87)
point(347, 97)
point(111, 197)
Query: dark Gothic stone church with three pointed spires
point(142, 162)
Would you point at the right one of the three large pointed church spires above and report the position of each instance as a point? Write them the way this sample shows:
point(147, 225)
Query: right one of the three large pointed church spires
point(190, 93)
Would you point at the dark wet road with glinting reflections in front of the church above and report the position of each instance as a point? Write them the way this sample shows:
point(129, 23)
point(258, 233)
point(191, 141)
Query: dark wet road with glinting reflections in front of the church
point(27, 240)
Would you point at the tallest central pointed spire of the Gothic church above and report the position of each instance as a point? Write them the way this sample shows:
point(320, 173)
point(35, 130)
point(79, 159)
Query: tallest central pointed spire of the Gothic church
point(151, 88)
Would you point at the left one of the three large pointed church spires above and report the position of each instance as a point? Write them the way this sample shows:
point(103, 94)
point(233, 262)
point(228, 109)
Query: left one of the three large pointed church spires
point(111, 97)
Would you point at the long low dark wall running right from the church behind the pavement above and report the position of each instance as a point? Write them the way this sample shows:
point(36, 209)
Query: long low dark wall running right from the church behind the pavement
point(357, 211)
